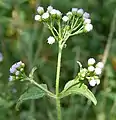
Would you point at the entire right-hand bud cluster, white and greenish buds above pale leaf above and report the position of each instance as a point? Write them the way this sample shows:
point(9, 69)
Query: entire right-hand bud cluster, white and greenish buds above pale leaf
point(92, 73)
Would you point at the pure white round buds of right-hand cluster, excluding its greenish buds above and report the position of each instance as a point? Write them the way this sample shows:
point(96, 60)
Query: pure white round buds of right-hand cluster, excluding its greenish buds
point(94, 71)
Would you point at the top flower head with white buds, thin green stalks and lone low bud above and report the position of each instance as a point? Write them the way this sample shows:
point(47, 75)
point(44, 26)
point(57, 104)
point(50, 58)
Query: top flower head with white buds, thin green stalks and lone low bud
point(73, 22)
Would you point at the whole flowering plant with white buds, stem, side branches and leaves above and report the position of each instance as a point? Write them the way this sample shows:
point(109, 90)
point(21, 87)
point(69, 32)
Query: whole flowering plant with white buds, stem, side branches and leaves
point(62, 27)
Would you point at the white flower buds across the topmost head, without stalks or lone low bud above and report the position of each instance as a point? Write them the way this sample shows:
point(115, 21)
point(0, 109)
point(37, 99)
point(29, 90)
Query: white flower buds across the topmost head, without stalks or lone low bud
point(75, 14)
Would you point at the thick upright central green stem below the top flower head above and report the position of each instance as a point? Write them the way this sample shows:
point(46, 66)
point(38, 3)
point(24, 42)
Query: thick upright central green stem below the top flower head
point(58, 107)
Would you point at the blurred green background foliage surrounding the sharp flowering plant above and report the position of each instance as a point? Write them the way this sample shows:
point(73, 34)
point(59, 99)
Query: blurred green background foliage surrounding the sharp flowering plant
point(21, 38)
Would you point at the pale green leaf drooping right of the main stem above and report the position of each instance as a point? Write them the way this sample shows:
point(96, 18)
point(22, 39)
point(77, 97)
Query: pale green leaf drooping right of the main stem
point(76, 87)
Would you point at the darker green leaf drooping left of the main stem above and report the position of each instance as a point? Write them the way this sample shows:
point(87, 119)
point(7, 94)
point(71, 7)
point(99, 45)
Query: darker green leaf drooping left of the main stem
point(31, 93)
